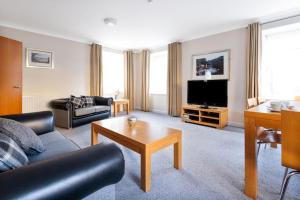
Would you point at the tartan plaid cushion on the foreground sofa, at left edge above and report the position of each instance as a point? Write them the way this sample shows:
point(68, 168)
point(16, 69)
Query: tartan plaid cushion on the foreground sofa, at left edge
point(11, 155)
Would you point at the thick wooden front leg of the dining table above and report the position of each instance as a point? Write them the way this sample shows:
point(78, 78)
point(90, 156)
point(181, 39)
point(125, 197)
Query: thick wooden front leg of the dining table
point(250, 158)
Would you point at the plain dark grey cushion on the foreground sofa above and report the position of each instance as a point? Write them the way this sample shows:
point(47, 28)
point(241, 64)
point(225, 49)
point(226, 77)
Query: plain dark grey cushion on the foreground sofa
point(24, 136)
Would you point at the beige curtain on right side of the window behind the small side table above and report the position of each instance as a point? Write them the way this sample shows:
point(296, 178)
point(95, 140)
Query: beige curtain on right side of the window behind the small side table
point(129, 88)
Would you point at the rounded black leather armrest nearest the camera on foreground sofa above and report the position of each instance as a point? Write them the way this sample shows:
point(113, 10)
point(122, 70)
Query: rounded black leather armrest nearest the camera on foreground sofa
point(72, 176)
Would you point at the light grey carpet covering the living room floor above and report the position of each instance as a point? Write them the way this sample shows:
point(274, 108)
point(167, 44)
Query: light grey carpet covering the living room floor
point(213, 166)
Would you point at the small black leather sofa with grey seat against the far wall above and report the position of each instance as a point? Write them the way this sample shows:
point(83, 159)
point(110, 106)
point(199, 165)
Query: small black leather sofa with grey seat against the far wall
point(66, 116)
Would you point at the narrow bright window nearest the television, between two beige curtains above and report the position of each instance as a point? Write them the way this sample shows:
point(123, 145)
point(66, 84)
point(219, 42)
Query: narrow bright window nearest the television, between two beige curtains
point(158, 72)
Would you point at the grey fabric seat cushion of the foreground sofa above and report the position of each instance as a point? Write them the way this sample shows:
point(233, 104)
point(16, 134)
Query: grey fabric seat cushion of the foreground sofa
point(56, 145)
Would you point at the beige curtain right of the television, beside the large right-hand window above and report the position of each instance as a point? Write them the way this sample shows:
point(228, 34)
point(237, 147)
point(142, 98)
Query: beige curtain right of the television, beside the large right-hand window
point(253, 59)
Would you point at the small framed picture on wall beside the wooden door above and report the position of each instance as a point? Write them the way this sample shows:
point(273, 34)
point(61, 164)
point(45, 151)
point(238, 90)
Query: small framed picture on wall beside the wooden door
point(39, 59)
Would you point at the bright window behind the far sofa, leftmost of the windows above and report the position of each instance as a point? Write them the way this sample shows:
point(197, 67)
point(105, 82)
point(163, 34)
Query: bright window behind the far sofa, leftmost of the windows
point(113, 73)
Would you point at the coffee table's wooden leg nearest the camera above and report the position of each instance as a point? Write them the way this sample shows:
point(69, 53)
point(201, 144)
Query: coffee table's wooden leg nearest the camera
point(146, 170)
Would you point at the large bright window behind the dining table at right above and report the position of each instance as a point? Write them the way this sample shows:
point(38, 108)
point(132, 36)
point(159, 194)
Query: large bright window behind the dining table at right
point(280, 69)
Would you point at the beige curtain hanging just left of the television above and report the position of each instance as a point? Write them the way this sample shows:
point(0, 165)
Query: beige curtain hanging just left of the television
point(174, 79)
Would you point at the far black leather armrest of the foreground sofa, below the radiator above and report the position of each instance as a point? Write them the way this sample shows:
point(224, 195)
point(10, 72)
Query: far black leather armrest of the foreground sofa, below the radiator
point(39, 122)
